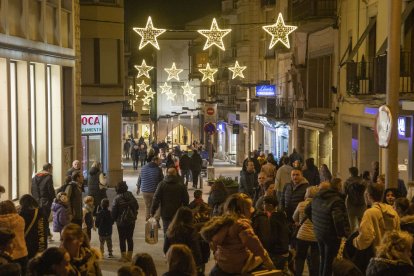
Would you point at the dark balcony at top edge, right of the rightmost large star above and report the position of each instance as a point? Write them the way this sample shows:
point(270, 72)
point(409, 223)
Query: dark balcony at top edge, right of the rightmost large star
point(307, 9)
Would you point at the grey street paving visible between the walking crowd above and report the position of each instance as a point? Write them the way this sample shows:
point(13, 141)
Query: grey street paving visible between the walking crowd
point(110, 266)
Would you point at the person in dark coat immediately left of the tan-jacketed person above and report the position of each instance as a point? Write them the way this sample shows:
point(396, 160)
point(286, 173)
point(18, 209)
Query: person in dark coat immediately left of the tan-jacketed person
point(272, 228)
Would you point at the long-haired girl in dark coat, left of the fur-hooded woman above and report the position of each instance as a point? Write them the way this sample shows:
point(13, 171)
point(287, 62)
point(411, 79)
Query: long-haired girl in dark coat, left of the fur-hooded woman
point(182, 231)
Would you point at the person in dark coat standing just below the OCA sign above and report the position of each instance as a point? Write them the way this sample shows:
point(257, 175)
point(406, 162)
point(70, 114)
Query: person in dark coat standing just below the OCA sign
point(97, 184)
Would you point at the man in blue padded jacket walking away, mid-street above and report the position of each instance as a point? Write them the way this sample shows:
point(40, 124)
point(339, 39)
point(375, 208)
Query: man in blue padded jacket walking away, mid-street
point(151, 175)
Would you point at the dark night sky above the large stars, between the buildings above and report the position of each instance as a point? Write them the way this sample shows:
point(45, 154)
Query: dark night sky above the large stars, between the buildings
point(168, 14)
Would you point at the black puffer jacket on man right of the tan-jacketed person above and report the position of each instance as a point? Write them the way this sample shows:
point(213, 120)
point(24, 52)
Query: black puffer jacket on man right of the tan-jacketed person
point(328, 215)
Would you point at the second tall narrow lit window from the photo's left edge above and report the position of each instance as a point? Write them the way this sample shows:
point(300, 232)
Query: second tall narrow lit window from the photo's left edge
point(33, 116)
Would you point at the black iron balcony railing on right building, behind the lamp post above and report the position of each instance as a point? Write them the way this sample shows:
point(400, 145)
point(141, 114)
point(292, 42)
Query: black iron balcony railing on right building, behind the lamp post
point(369, 78)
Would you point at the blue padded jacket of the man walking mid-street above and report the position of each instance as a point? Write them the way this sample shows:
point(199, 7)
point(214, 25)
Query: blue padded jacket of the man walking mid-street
point(150, 176)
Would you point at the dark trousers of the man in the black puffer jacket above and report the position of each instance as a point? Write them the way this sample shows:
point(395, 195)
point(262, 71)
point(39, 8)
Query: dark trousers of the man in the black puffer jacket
point(328, 249)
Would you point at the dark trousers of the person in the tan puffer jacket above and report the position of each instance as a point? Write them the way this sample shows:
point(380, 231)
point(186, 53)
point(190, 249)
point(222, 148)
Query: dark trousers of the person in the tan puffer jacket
point(302, 248)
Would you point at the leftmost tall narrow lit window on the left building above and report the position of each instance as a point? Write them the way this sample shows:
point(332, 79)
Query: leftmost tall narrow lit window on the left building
point(14, 129)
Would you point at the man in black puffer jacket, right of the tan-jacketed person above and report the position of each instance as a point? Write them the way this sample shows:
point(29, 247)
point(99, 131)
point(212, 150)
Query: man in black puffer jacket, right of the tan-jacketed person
point(330, 223)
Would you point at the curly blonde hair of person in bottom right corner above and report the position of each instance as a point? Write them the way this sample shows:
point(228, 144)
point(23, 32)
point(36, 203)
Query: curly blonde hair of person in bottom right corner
point(395, 245)
